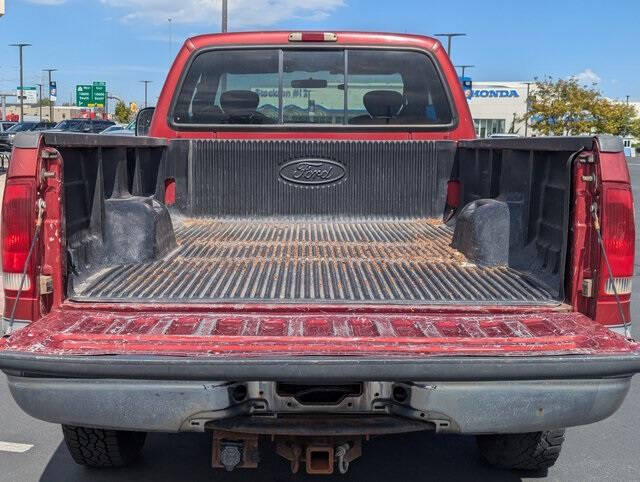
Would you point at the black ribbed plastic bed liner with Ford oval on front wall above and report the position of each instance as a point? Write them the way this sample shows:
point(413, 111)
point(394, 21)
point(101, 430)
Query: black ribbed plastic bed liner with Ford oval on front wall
point(126, 242)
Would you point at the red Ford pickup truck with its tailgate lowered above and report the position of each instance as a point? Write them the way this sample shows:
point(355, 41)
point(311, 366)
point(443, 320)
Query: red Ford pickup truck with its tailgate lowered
point(311, 245)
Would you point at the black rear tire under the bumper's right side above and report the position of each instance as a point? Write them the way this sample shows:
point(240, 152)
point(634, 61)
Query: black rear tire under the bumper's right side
point(522, 451)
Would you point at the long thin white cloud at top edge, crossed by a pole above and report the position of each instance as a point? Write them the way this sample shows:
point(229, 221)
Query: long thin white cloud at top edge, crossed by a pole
point(242, 13)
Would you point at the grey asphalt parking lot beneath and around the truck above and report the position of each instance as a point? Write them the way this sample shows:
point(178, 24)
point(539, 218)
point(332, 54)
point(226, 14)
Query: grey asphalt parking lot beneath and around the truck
point(604, 451)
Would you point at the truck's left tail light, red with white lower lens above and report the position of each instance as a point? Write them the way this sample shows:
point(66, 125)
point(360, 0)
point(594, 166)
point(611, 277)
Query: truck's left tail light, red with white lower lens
point(18, 222)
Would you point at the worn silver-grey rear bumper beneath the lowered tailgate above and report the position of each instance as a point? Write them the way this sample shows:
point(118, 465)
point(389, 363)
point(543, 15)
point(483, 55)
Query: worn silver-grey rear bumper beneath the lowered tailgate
point(450, 407)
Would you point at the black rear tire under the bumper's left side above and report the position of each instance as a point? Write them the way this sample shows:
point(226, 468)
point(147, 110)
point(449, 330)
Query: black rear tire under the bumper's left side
point(95, 447)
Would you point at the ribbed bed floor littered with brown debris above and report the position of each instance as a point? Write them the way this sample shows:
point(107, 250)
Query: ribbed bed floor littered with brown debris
point(384, 261)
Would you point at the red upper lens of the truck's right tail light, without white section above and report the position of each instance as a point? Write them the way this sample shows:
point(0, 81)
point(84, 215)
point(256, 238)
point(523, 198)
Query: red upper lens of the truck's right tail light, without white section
point(618, 230)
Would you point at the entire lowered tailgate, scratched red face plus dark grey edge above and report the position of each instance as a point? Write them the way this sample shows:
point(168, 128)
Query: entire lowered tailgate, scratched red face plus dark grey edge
point(336, 346)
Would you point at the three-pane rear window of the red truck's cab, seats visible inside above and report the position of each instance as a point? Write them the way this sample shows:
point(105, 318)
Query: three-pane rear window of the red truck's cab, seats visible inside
point(318, 87)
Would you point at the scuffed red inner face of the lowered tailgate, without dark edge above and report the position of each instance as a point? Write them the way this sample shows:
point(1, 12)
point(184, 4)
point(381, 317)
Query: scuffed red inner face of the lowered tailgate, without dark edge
point(254, 335)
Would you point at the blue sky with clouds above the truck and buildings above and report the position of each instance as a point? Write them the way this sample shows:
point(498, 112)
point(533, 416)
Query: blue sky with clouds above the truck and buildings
point(124, 41)
